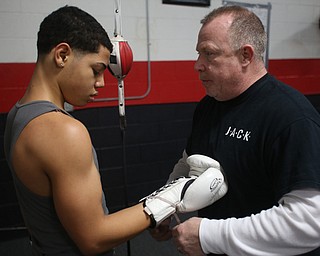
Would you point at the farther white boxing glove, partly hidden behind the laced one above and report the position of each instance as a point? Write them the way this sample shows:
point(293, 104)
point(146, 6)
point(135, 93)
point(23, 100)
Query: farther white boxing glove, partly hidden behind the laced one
point(200, 163)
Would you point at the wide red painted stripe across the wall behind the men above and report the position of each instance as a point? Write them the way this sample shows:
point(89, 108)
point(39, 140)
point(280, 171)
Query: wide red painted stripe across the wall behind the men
point(171, 81)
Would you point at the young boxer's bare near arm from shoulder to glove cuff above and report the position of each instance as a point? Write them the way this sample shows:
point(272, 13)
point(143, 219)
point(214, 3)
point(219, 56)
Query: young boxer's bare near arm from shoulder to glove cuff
point(65, 156)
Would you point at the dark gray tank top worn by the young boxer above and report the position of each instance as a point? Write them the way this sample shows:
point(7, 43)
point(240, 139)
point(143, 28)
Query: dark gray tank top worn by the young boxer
point(48, 237)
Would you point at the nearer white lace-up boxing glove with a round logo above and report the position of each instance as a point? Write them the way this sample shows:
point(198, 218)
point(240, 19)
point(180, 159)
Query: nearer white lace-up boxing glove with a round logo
point(185, 195)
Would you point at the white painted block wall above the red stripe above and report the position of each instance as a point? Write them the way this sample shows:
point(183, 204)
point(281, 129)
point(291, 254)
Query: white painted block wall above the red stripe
point(294, 29)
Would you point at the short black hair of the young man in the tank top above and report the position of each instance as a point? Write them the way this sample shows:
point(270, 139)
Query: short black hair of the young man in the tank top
point(74, 26)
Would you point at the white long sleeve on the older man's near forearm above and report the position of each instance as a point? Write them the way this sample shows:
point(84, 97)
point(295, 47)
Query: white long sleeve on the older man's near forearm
point(291, 228)
